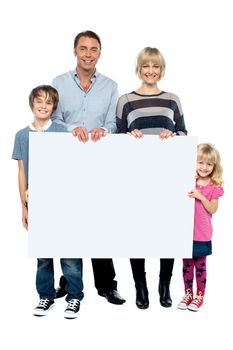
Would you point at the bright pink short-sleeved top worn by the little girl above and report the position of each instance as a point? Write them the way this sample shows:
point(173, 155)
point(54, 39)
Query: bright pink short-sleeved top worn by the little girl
point(202, 218)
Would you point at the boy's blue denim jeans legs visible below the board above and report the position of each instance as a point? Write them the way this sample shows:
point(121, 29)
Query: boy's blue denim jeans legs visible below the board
point(72, 271)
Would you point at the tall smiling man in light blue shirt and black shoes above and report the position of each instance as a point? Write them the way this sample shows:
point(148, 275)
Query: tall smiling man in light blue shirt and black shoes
point(88, 105)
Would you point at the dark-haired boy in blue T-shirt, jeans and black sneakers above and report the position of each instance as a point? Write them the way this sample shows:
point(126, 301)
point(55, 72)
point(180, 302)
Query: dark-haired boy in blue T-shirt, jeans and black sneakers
point(43, 101)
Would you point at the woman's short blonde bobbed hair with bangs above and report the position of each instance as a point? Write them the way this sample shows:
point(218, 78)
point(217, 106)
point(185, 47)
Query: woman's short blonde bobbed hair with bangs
point(150, 54)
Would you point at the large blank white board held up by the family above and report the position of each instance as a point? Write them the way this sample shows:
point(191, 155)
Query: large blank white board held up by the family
point(118, 197)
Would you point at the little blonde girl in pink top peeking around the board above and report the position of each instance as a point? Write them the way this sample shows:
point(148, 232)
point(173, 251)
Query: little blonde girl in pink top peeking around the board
point(208, 190)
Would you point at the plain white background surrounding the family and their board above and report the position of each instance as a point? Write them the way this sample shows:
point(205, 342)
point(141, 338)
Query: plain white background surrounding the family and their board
point(36, 45)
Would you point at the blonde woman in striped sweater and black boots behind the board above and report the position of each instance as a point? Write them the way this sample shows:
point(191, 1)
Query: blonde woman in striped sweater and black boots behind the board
point(149, 110)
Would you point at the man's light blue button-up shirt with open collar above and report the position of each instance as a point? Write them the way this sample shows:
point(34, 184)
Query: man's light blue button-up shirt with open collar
point(94, 108)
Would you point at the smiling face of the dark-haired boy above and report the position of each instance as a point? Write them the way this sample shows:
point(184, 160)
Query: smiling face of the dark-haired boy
point(42, 107)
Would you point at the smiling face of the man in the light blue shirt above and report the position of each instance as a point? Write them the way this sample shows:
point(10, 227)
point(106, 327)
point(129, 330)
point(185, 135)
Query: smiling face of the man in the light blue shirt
point(87, 52)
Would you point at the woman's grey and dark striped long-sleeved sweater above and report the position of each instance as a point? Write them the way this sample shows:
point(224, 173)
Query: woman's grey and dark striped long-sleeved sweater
point(150, 113)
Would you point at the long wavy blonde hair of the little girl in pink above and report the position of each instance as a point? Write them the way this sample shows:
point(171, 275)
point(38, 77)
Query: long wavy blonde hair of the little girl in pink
point(208, 152)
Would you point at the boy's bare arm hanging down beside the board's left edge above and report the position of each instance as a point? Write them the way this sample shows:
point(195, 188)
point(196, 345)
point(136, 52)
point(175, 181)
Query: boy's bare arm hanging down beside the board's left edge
point(22, 191)
